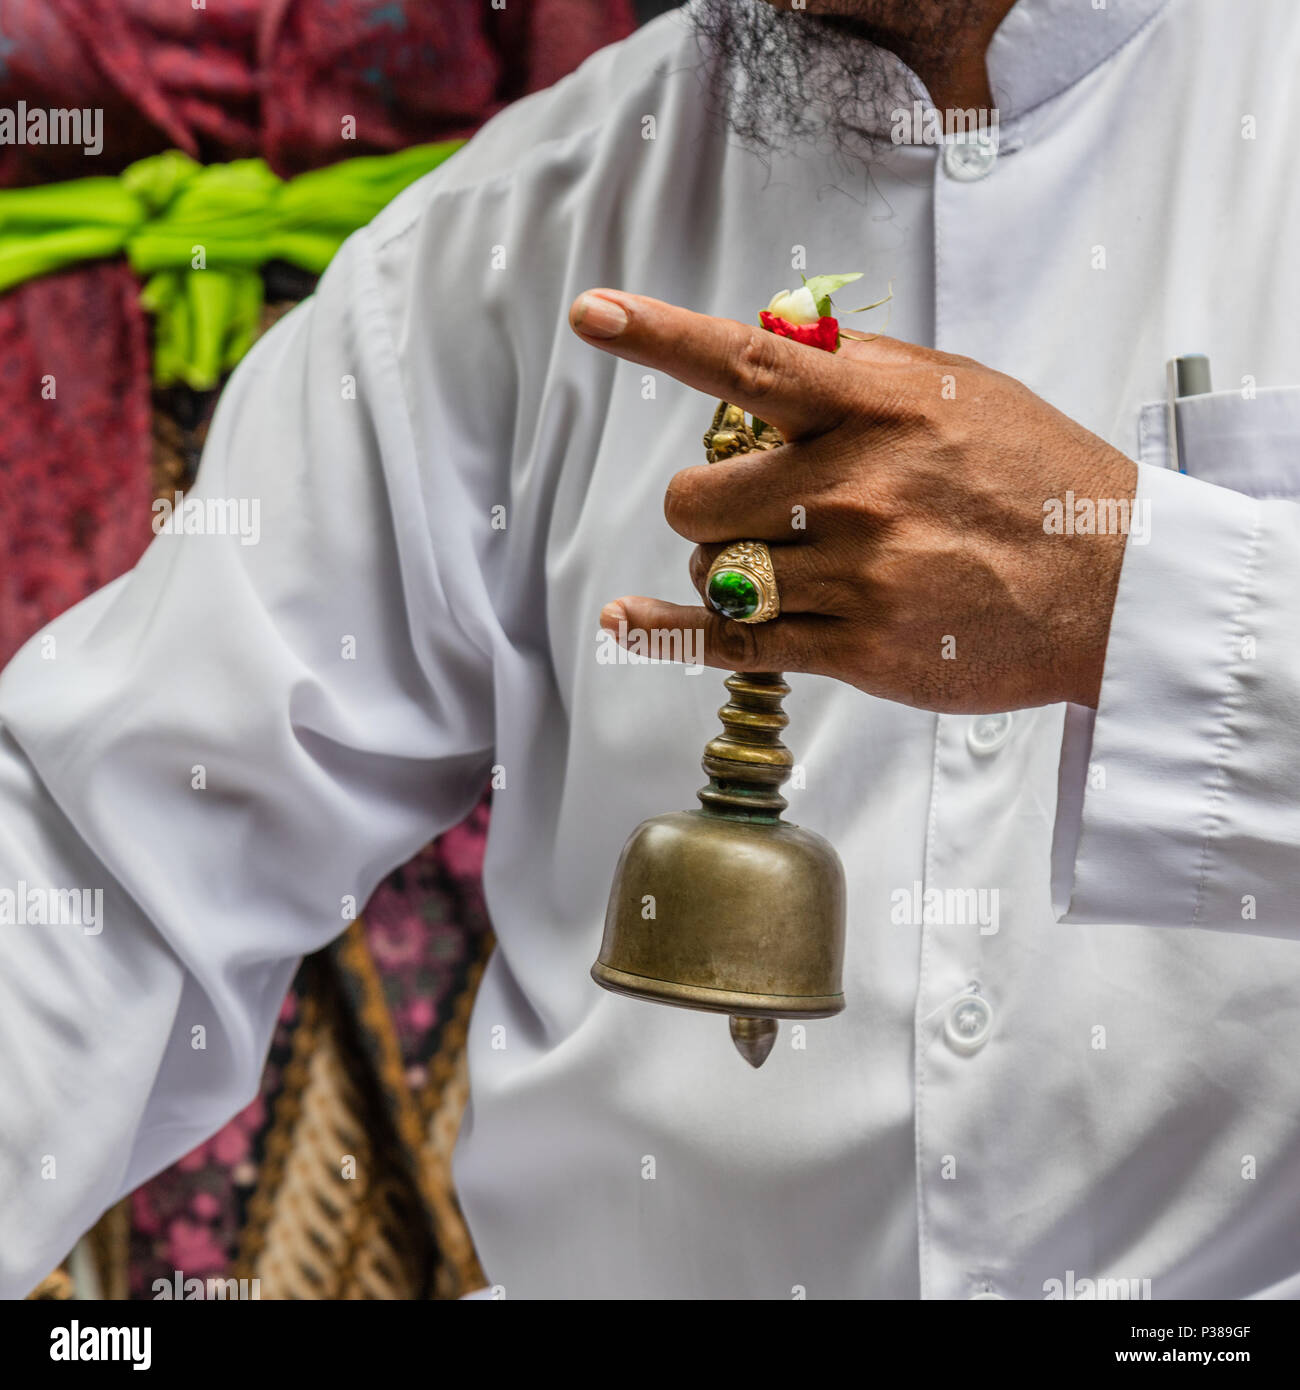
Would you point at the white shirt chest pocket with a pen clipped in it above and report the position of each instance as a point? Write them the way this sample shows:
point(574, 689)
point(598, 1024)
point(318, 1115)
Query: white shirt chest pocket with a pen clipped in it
point(1249, 445)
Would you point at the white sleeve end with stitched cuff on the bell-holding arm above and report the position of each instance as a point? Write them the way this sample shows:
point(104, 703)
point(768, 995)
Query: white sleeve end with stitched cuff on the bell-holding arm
point(1180, 803)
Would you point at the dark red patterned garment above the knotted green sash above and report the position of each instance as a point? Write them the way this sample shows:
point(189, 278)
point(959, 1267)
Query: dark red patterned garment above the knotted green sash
point(280, 79)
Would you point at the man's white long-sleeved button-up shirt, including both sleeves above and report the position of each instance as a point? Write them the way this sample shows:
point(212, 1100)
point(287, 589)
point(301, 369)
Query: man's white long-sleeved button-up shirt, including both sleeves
point(1126, 1100)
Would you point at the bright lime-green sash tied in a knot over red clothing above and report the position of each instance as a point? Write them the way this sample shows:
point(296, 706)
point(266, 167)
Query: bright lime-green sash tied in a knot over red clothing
point(198, 234)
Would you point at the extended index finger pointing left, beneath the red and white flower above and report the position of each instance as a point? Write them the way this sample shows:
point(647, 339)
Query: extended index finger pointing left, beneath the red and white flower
point(797, 389)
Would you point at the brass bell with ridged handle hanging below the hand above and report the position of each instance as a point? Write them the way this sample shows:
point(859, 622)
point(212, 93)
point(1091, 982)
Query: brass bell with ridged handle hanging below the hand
point(731, 908)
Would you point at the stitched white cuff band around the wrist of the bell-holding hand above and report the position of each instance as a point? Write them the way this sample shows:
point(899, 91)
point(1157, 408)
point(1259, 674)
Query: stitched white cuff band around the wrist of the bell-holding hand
point(1141, 782)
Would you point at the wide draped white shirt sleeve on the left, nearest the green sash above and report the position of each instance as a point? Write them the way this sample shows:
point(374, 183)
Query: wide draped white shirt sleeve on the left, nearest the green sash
point(230, 744)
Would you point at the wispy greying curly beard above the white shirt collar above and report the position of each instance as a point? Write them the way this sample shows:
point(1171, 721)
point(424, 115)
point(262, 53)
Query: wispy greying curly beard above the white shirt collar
point(783, 79)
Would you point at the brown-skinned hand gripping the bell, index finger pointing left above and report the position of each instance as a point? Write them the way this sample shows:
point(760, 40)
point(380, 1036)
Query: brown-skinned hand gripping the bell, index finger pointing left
point(904, 514)
